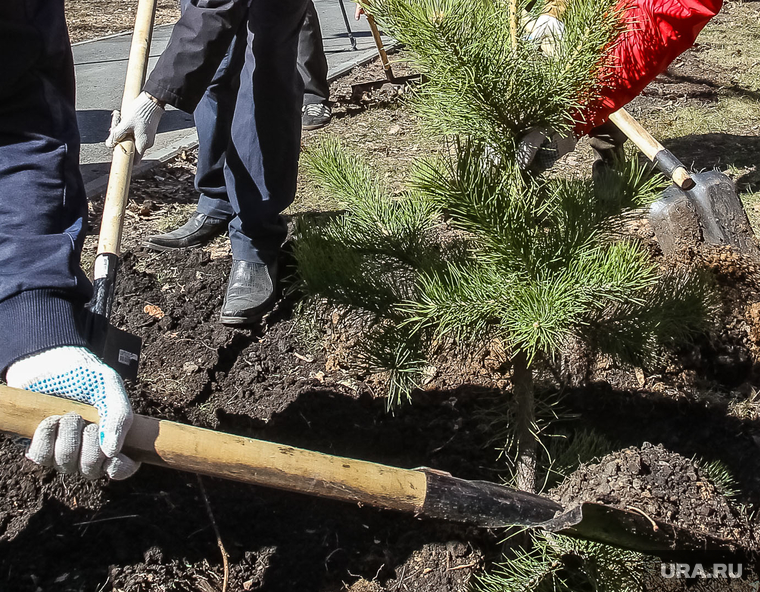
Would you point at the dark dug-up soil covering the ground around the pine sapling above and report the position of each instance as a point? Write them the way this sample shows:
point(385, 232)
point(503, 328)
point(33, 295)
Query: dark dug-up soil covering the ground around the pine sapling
point(287, 380)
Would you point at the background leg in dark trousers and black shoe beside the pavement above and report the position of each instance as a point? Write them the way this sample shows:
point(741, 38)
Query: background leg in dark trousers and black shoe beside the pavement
point(312, 66)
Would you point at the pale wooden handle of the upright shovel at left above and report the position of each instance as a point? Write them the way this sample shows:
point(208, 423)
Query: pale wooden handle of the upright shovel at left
point(123, 154)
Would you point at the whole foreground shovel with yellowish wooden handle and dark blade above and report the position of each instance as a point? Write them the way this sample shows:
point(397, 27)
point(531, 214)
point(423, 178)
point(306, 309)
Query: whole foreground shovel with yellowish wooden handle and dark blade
point(423, 492)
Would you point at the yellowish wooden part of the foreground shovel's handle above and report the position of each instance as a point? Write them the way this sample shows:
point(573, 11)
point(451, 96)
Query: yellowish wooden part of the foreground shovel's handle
point(217, 454)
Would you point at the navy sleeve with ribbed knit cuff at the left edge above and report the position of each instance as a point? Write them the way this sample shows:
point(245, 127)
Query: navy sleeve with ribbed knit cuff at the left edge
point(43, 208)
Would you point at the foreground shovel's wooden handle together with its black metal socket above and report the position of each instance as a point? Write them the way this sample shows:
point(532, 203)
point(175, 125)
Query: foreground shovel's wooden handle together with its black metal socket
point(419, 491)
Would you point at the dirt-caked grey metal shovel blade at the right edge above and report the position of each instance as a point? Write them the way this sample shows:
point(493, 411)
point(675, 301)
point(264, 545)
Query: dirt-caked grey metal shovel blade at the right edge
point(710, 213)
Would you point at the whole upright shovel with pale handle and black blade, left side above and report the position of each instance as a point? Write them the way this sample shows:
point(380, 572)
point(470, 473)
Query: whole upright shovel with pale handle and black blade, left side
point(117, 348)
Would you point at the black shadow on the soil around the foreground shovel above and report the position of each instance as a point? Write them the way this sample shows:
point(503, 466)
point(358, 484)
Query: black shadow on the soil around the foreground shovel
point(157, 521)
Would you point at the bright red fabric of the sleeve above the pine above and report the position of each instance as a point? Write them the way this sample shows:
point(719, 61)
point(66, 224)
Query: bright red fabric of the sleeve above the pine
point(657, 31)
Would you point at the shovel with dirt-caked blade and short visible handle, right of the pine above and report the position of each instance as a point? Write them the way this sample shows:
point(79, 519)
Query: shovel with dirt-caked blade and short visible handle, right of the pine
point(700, 208)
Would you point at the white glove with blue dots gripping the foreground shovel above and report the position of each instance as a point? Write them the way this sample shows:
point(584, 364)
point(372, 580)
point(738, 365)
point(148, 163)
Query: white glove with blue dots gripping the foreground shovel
point(66, 442)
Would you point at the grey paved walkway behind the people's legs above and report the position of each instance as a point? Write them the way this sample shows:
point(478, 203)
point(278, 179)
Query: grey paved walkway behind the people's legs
point(101, 68)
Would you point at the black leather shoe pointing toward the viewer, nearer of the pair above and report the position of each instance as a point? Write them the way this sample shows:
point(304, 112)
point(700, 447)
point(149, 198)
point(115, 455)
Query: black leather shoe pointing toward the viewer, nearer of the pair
point(251, 291)
